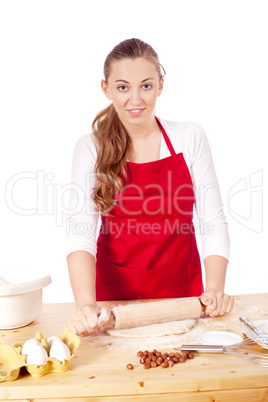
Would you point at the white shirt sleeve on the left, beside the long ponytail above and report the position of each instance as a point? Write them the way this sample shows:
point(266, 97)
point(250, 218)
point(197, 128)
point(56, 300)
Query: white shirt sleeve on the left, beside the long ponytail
point(83, 216)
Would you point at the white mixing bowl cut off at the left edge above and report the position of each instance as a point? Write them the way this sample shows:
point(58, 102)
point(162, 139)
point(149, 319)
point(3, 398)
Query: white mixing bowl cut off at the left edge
point(20, 296)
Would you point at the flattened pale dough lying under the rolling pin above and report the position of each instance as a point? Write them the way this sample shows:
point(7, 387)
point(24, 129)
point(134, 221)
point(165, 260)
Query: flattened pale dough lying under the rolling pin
point(154, 330)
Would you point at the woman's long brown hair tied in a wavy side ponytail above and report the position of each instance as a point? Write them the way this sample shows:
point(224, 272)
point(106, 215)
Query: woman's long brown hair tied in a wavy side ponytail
point(112, 139)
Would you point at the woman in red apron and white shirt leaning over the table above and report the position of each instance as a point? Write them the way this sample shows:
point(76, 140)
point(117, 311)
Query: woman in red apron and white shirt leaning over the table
point(143, 175)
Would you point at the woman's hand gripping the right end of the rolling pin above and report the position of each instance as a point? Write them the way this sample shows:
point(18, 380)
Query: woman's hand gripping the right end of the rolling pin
point(218, 303)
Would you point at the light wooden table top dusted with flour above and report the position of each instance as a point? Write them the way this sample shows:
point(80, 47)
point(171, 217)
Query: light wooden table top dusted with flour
point(98, 370)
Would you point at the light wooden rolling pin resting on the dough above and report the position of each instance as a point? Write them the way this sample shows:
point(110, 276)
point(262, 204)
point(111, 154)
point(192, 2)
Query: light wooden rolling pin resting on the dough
point(141, 314)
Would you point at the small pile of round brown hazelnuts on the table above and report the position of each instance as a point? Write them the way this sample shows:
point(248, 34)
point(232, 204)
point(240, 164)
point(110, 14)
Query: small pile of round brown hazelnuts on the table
point(154, 359)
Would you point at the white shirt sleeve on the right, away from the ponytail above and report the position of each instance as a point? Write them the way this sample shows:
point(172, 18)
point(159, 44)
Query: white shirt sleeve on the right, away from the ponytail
point(212, 223)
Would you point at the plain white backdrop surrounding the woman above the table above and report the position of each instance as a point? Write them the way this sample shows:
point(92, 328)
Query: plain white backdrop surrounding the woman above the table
point(52, 54)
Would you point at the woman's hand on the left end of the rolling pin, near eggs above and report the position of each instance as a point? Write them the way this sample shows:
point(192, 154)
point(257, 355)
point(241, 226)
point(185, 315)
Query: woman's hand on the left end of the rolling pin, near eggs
point(88, 319)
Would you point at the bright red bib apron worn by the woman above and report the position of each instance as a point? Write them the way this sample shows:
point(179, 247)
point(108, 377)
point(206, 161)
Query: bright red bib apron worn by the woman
point(147, 248)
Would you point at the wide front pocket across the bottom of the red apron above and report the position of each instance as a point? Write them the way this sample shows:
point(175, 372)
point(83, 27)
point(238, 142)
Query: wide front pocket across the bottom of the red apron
point(114, 282)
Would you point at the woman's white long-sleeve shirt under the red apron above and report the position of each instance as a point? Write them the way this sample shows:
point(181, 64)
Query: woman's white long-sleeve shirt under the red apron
point(82, 224)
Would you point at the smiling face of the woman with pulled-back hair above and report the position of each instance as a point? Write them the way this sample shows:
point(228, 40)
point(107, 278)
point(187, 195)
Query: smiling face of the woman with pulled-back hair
point(133, 86)
